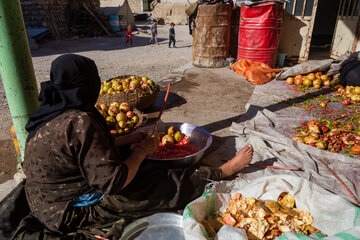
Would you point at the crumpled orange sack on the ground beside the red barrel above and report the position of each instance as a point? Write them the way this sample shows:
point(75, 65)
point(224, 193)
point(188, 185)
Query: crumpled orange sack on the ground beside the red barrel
point(255, 72)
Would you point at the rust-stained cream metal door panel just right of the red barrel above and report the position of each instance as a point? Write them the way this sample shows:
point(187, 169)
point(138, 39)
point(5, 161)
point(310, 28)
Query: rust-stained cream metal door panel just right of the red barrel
point(297, 28)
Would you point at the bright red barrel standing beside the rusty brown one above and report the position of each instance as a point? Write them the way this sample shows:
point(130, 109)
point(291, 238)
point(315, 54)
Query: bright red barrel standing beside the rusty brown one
point(259, 32)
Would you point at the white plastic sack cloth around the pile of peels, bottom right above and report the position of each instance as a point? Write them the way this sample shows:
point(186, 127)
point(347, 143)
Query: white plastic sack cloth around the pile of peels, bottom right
point(332, 214)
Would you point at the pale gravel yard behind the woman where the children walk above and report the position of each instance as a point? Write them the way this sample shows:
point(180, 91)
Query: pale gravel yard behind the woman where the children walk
point(112, 57)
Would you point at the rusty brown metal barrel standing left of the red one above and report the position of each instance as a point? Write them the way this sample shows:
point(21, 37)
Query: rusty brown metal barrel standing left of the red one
point(211, 35)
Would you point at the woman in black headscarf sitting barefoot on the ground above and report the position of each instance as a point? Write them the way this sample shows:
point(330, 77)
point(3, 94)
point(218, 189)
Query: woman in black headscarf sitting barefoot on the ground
point(78, 175)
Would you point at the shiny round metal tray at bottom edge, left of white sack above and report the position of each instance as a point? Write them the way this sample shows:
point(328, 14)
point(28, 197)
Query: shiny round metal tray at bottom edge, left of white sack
point(160, 226)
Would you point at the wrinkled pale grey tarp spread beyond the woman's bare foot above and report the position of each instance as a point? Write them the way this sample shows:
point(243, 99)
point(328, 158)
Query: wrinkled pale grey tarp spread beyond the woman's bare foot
point(267, 125)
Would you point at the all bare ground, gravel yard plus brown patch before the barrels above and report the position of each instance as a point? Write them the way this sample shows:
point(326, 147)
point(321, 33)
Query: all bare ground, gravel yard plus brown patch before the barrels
point(211, 98)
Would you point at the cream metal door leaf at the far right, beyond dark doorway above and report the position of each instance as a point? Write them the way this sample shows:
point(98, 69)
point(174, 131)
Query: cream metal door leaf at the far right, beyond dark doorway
point(346, 28)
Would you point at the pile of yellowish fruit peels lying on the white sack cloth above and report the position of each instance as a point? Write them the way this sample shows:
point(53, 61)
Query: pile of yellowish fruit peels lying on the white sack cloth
point(263, 220)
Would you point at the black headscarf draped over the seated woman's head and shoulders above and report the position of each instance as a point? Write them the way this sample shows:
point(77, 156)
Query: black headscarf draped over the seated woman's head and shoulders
point(74, 84)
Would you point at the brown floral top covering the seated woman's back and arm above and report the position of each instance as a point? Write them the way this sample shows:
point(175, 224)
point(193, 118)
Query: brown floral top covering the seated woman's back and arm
point(68, 157)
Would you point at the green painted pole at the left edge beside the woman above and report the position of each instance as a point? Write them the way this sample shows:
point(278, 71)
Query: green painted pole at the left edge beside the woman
point(16, 68)
